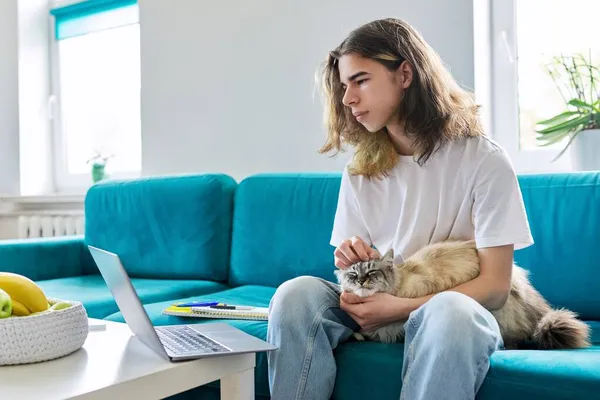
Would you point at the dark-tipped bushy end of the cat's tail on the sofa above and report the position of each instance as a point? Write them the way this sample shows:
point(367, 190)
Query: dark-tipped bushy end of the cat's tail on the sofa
point(560, 329)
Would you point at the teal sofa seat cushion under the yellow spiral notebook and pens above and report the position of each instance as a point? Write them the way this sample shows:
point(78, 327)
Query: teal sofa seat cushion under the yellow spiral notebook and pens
point(258, 296)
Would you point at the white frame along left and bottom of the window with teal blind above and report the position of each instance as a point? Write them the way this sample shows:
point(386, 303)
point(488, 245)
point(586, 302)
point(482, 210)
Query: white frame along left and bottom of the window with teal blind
point(65, 182)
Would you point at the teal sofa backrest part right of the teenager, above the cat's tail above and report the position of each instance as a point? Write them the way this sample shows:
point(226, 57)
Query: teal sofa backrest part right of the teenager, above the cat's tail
point(564, 215)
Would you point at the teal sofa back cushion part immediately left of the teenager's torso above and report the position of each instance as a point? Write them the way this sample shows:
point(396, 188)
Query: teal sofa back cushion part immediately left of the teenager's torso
point(281, 228)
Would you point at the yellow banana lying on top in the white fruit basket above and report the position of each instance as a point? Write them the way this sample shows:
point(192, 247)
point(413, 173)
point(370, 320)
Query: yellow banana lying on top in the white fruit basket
point(23, 292)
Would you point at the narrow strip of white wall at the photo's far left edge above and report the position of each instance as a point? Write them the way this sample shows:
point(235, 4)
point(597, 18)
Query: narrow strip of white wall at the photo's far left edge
point(9, 98)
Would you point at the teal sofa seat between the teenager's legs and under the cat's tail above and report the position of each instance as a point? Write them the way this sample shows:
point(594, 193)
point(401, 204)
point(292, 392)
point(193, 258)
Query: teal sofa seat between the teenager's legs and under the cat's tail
point(515, 375)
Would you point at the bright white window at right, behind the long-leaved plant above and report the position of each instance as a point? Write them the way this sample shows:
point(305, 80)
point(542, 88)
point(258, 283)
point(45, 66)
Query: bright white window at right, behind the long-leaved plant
point(526, 35)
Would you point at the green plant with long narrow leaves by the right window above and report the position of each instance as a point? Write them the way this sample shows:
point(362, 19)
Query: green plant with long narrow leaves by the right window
point(578, 82)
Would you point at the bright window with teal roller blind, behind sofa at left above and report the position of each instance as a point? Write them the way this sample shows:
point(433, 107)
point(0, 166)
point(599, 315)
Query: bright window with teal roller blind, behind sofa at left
point(96, 90)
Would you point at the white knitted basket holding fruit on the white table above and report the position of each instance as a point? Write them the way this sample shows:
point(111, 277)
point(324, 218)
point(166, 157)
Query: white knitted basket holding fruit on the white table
point(44, 336)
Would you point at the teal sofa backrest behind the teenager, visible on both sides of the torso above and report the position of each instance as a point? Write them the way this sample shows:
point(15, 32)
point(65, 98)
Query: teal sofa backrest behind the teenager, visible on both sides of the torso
point(282, 226)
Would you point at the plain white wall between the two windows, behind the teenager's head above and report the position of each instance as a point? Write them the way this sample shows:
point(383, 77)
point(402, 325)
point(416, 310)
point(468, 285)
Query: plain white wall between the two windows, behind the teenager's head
point(229, 86)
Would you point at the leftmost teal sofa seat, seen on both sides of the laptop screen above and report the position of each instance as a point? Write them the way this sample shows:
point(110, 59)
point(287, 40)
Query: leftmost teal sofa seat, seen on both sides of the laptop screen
point(92, 291)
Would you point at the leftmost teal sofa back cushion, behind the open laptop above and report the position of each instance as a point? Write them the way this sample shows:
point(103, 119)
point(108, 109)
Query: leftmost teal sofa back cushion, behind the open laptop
point(176, 227)
